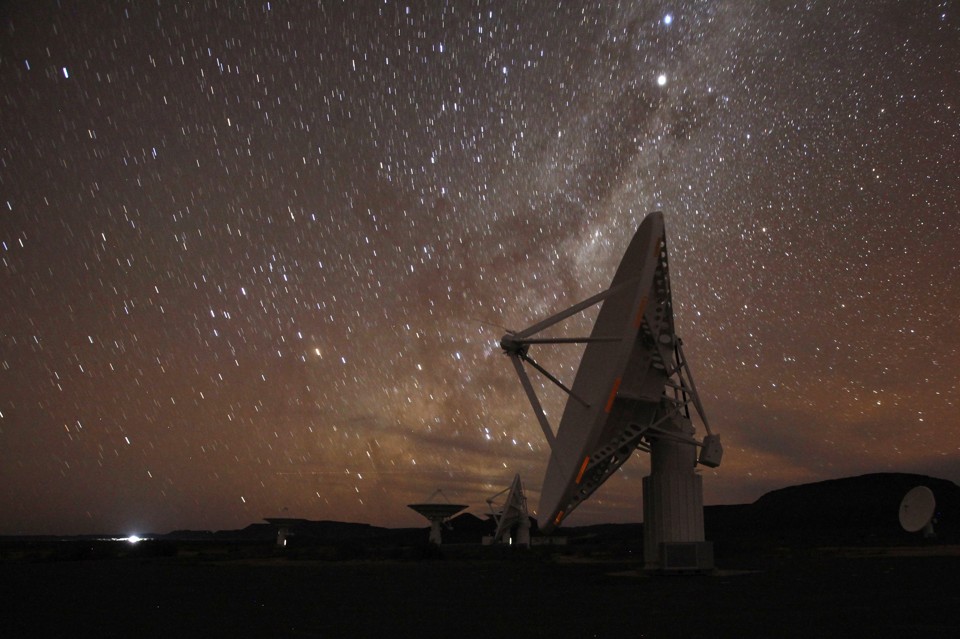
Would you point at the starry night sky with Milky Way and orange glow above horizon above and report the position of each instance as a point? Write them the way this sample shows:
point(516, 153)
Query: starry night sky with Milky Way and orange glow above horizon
point(257, 258)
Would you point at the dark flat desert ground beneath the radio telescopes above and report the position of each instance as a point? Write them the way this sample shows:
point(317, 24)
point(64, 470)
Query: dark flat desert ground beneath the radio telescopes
point(886, 592)
